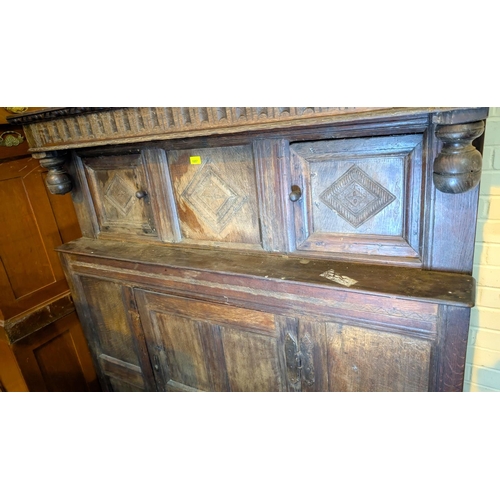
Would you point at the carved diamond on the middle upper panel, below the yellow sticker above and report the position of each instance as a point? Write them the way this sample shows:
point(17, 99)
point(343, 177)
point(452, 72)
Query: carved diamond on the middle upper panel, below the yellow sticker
point(214, 200)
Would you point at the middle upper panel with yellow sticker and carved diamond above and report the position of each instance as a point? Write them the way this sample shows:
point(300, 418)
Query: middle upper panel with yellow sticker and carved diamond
point(214, 204)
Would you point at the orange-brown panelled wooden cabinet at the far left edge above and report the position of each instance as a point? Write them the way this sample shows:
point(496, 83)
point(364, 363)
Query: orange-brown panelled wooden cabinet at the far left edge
point(42, 346)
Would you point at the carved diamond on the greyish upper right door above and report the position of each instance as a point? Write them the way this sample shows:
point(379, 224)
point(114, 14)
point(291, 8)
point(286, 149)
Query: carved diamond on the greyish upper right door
point(356, 197)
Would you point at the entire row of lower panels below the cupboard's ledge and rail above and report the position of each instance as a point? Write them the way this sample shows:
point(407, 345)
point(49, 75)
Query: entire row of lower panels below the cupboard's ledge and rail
point(148, 341)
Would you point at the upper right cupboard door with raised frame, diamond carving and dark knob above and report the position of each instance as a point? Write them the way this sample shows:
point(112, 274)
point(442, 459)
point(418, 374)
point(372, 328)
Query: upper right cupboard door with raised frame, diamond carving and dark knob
point(359, 198)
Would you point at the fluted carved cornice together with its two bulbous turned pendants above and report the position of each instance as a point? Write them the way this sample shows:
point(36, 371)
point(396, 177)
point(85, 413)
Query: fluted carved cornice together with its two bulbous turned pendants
point(456, 169)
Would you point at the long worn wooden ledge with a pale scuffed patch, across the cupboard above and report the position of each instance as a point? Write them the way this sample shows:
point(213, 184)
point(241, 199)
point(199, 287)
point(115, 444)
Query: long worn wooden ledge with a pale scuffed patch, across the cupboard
point(280, 270)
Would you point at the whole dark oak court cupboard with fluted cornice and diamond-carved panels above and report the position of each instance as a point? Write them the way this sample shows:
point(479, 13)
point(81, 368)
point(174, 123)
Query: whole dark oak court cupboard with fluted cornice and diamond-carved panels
point(269, 249)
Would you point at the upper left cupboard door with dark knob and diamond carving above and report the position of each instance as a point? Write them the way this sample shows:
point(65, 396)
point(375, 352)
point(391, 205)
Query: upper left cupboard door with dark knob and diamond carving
point(130, 195)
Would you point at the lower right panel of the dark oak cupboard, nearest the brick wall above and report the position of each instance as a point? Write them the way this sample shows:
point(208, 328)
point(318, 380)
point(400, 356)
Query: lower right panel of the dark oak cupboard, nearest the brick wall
point(347, 358)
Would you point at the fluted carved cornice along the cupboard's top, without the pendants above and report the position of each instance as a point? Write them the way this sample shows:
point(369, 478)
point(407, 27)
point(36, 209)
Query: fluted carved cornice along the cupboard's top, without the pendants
point(68, 128)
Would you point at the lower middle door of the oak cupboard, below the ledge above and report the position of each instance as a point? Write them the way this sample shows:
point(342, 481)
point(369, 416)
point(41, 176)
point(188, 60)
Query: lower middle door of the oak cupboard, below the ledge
point(200, 346)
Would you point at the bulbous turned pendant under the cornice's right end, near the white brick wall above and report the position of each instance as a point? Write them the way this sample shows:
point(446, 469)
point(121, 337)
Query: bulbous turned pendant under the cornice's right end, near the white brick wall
point(457, 168)
